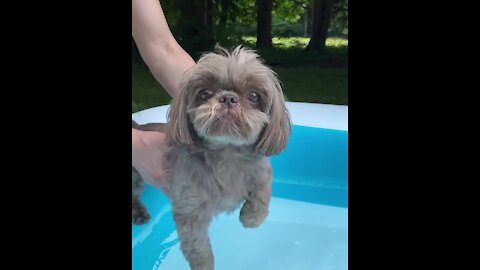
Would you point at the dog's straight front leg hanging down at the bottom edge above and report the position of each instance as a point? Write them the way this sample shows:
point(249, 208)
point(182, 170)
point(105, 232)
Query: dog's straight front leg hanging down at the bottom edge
point(192, 230)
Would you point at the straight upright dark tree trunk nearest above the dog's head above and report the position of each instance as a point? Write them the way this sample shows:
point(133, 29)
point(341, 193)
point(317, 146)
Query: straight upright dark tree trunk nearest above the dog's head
point(264, 23)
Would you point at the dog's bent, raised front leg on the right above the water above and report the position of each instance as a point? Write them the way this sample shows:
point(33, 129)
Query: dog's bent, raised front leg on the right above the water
point(255, 208)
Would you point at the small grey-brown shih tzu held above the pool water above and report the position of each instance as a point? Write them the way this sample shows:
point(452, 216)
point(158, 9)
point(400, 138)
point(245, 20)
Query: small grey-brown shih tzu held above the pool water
point(229, 116)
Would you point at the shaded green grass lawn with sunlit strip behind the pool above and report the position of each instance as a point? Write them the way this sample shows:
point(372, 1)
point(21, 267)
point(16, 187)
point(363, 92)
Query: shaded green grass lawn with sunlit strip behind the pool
point(305, 78)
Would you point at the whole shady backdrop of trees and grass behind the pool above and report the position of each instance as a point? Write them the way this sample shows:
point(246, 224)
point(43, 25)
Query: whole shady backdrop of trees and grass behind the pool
point(304, 41)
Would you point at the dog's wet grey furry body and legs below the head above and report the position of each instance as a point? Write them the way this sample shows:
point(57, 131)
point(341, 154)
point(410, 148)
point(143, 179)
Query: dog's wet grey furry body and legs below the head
point(204, 184)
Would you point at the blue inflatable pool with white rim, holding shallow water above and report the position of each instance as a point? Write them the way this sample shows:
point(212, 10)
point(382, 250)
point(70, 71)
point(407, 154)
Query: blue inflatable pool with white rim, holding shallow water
point(307, 228)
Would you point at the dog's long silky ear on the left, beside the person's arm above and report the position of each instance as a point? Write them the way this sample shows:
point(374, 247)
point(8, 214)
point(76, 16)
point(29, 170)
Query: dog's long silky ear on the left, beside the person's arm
point(179, 131)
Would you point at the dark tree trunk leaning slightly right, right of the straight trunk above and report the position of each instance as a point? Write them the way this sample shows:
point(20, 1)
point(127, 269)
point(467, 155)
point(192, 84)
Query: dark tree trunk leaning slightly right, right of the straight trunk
point(322, 11)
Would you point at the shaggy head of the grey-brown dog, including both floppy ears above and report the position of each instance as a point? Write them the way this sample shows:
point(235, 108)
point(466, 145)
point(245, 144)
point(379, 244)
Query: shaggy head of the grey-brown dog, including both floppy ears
point(230, 98)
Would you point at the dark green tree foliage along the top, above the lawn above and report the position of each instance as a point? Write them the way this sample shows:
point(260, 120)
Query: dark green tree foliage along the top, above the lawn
point(199, 24)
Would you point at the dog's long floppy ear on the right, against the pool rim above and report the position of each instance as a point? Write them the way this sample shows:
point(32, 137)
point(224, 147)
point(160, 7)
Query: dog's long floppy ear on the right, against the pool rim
point(275, 135)
